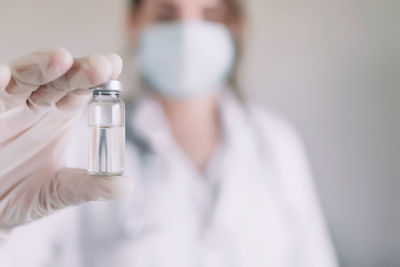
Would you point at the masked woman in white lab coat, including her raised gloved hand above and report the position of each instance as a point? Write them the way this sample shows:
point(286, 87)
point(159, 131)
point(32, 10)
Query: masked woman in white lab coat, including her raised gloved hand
point(218, 182)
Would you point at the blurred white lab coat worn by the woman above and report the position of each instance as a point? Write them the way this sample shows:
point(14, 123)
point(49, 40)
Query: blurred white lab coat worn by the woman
point(254, 205)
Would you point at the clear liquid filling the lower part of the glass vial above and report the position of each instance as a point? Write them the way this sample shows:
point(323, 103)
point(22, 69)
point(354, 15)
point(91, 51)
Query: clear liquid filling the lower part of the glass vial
point(106, 150)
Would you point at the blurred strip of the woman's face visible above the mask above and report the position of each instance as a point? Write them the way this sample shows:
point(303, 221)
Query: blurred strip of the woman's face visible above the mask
point(163, 11)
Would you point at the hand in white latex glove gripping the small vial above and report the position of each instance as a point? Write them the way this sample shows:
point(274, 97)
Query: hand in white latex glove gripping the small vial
point(41, 95)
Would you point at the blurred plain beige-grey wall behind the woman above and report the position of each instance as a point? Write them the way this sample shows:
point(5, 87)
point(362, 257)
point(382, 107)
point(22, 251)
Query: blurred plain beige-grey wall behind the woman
point(331, 67)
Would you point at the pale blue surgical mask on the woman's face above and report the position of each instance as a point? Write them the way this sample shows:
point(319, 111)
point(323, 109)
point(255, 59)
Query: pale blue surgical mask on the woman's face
point(186, 59)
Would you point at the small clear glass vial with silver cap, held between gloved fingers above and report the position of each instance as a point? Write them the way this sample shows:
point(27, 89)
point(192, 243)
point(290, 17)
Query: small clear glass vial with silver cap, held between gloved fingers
point(106, 130)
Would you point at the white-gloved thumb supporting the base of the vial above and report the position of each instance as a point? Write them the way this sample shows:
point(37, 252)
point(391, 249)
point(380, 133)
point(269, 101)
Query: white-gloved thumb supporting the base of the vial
point(76, 186)
